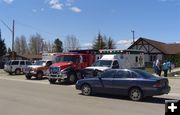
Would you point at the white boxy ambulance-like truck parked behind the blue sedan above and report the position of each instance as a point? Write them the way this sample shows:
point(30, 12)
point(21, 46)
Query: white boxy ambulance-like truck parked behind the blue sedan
point(117, 59)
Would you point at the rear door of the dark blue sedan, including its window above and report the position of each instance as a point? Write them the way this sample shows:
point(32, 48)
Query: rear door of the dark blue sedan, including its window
point(121, 82)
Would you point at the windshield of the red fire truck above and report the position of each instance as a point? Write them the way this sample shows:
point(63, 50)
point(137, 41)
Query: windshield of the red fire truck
point(67, 58)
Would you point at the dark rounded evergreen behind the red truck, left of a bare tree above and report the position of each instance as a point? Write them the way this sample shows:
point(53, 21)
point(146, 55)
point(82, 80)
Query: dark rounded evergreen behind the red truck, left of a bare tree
point(58, 45)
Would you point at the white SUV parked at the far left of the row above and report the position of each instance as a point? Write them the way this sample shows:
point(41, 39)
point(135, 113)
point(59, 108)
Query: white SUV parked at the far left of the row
point(16, 66)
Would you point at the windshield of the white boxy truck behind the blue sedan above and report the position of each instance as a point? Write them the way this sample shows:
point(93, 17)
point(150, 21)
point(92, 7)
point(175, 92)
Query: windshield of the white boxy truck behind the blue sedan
point(103, 63)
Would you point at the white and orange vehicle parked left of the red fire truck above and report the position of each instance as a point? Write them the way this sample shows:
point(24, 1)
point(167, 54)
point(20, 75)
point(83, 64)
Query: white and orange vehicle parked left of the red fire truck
point(38, 69)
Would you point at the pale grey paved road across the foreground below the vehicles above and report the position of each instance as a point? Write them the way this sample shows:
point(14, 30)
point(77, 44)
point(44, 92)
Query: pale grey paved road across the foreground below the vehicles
point(19, 96)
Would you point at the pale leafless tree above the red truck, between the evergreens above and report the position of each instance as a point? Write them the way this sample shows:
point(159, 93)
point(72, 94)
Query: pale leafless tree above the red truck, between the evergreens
point(71, 43)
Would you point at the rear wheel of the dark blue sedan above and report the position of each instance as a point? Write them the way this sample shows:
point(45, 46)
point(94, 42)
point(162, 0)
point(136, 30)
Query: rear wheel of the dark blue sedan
point(135, 94)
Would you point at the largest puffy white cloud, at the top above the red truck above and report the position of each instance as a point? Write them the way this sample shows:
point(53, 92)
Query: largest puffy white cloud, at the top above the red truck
point(56, 4)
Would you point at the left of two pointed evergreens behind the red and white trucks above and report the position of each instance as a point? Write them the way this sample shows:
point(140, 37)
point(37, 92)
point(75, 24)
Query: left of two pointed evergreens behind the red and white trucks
point(99, 42)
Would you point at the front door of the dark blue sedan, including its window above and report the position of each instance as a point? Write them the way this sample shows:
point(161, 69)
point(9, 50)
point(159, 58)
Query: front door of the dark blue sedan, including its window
point(106, 81)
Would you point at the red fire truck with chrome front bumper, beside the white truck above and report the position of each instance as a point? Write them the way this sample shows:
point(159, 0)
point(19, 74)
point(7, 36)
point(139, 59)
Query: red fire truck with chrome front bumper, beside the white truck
point(69, 66)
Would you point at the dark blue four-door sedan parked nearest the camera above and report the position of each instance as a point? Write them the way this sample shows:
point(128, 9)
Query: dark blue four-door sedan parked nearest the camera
point(134, 83)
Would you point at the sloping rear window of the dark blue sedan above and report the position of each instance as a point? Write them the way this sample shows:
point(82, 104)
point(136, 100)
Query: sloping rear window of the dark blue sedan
point(144, 74)
